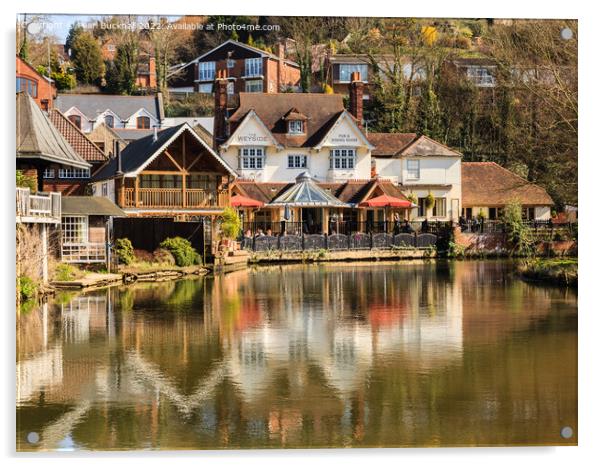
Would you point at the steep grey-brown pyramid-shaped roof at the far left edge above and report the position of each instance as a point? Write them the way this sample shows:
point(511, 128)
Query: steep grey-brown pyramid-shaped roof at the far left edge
point(37, 138)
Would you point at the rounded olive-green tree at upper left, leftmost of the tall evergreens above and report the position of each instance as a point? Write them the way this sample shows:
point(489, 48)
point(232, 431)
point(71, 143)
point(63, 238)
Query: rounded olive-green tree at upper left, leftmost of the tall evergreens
point(87, 58)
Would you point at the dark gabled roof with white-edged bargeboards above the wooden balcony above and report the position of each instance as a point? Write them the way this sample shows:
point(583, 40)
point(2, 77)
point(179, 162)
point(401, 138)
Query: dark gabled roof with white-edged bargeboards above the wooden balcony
point(138, 154)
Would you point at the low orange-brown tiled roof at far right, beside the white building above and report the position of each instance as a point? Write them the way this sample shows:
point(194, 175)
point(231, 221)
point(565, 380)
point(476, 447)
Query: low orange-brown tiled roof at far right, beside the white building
point(488, 184)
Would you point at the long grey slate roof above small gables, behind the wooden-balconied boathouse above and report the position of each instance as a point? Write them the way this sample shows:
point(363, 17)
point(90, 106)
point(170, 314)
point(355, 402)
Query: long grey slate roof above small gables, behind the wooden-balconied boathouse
point(124, 106)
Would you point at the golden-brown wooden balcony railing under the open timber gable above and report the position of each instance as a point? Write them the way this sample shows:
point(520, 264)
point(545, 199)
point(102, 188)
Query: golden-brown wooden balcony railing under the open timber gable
point(173, 198)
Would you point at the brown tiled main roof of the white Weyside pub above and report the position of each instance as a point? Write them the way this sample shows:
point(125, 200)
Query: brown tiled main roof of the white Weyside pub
point(322, 111)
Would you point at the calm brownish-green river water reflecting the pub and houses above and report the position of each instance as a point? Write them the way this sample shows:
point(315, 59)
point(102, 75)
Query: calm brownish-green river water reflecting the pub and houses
point(333, 355)
